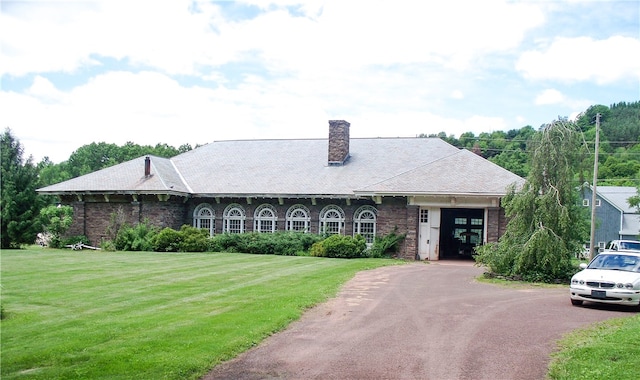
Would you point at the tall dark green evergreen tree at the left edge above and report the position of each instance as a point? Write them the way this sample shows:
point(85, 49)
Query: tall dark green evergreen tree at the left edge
point(19, 202)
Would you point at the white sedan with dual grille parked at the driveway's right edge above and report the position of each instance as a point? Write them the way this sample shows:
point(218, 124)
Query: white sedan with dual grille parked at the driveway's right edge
point(611, 277)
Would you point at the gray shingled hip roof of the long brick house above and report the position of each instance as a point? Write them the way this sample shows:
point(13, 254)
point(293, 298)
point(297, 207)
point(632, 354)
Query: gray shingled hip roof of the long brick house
point(300, 168)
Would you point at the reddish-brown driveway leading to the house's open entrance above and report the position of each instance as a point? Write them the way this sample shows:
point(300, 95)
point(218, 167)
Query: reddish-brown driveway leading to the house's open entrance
point(420, 321)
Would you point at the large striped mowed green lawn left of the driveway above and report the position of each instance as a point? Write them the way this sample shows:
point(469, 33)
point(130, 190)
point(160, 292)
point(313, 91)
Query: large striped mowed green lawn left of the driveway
point(143, 315)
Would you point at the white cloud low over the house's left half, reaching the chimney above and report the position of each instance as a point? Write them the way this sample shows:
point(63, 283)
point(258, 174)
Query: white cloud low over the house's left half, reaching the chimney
point(151, 108)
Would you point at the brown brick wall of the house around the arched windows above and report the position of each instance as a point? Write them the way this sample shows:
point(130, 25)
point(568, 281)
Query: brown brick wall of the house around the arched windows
point(93, 216)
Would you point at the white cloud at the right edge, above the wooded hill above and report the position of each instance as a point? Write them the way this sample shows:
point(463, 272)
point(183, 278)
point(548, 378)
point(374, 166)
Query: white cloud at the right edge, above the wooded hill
point(584, 59)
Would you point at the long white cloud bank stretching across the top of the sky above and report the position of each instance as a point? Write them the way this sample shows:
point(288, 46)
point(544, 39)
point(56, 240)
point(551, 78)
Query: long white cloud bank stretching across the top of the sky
point(176, 37)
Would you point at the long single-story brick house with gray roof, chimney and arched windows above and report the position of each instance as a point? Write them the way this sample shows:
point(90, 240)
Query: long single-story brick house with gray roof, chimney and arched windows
point(446, 200)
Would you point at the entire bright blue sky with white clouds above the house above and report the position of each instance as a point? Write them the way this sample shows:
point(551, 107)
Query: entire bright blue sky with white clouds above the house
point(182, 71)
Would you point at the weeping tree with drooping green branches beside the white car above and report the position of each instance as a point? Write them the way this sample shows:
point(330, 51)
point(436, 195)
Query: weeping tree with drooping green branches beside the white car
point(547, 224)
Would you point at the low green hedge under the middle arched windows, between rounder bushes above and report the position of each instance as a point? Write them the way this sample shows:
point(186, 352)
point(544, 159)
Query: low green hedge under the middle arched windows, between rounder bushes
point(278, 243)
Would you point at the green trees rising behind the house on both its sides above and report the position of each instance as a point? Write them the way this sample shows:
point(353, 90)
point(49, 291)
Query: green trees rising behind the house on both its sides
point(619, 162)
